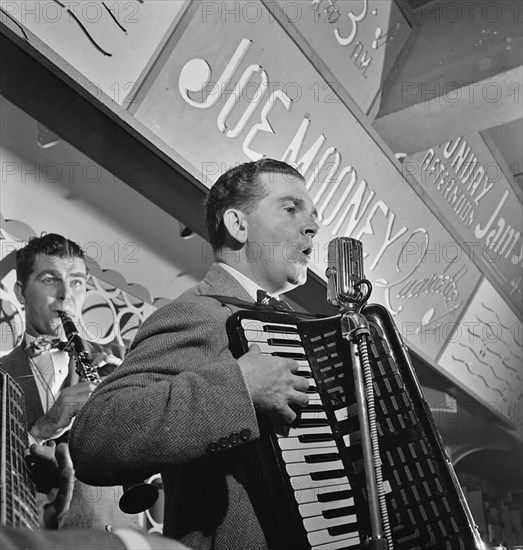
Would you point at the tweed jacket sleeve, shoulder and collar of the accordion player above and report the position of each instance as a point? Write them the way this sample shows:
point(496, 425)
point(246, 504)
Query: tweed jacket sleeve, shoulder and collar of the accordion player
point(179, 385)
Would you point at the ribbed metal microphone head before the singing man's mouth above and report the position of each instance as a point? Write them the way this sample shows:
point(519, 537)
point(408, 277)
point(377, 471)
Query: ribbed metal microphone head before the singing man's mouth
point(345, 273)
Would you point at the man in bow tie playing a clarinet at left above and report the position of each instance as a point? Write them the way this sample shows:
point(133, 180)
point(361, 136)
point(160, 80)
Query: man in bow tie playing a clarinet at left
point(51, 280)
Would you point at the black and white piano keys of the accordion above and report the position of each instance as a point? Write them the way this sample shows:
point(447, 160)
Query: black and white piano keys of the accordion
point(316, 473)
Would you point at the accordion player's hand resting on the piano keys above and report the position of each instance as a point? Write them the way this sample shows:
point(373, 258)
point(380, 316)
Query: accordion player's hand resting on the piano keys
point(274, 387)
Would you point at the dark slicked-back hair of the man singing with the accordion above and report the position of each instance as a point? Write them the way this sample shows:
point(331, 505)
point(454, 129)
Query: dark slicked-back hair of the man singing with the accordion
point(240, 187)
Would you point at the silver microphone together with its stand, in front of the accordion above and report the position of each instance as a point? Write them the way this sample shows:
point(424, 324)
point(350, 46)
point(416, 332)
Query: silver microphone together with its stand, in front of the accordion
point(345, 278)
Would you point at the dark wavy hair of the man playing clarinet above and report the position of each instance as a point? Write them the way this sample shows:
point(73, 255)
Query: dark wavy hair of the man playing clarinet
point(51, 244)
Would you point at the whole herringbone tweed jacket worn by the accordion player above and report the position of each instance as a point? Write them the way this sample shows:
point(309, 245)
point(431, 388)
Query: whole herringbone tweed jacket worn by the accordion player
point(179, 405)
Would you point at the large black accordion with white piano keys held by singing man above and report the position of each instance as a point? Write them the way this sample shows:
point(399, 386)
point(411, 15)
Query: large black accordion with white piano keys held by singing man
point(309, 491)
